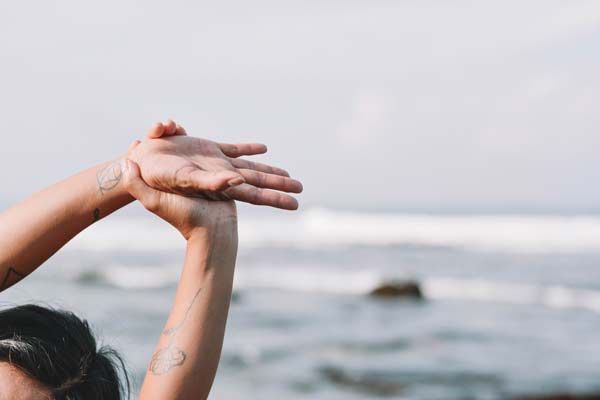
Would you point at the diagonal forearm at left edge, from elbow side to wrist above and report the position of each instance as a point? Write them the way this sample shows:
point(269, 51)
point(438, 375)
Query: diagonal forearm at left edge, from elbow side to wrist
point(33, 230)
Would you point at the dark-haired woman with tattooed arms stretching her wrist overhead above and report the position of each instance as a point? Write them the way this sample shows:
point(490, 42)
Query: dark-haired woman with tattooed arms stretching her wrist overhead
point(51, 354)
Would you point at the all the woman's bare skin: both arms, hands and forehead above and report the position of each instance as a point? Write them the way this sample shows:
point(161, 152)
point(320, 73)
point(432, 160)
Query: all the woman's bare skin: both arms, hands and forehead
point(158, 172)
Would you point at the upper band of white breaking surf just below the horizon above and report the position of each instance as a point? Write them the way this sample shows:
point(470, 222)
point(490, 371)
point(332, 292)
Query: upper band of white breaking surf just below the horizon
point(319, 228)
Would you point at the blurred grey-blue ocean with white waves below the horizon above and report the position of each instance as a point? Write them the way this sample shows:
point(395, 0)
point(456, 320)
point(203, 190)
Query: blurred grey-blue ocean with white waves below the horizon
point(511, 302)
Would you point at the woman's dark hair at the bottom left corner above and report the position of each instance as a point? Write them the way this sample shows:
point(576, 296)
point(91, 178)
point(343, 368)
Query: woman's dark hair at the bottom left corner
point(58, 350)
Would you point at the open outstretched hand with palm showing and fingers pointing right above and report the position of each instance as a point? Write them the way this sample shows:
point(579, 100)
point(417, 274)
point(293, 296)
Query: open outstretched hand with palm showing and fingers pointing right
point(171, 161)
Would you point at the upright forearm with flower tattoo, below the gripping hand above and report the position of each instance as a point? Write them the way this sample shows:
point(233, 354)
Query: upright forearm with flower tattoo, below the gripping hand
point(187, 355)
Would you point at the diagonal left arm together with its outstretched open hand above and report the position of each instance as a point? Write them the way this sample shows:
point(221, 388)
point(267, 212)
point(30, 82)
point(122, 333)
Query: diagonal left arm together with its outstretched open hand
point(33, 230)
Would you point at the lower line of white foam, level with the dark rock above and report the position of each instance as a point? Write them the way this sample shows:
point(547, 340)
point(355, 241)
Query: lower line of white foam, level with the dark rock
point(361, 282)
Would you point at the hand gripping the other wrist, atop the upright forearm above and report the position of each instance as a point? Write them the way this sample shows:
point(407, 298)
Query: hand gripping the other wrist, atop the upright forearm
point(188, 215)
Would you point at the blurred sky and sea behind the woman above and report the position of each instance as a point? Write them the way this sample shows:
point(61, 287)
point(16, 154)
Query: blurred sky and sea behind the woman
point(448, 242)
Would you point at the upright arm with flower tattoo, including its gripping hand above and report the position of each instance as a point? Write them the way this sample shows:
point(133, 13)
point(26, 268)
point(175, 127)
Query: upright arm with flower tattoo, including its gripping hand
point(185, 361)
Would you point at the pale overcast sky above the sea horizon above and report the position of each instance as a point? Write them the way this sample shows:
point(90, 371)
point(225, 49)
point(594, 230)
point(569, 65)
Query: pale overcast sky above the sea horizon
point(373, 104)
